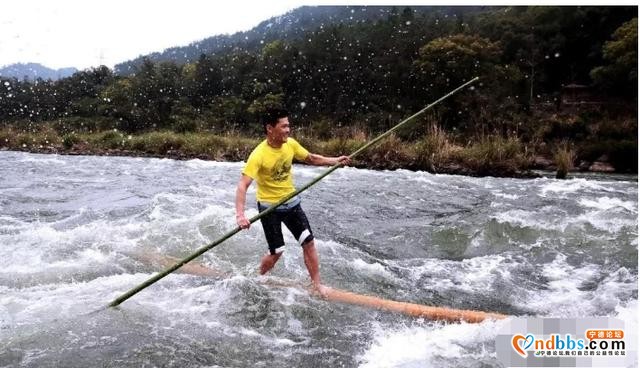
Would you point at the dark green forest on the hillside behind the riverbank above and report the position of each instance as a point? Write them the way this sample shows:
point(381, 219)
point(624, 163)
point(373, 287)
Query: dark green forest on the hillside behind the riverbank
point(547, 75)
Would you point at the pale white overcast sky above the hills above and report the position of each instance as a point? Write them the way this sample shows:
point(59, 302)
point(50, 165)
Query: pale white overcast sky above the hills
point(82, 34)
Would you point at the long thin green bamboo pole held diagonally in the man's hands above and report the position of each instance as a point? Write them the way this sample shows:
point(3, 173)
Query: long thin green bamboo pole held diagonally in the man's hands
point(255, 218)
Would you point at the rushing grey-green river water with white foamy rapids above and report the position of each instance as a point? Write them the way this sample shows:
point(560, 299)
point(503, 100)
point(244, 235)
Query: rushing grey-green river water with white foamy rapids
point(72, 230)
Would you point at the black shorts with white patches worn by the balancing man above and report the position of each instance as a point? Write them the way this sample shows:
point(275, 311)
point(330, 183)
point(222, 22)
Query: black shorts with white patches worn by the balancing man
point(295, 220)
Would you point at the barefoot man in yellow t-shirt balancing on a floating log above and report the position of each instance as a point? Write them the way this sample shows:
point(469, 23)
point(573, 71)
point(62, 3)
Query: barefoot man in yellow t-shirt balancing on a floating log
point(270, 165)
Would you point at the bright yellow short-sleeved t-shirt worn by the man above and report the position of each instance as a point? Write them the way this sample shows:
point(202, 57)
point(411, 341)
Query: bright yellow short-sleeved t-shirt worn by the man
point(271, 169)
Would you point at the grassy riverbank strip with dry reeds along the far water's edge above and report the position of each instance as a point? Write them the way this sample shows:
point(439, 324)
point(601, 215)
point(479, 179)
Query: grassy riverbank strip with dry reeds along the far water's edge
point(436, 153)
